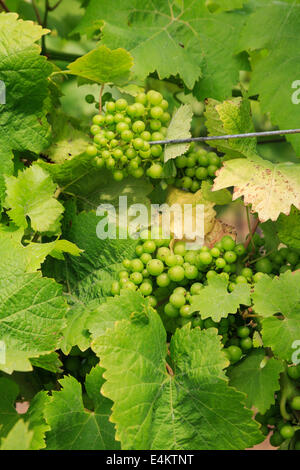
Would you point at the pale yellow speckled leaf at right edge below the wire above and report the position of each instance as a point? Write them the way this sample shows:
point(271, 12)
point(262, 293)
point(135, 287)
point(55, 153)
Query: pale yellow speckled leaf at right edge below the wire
point(270, 188)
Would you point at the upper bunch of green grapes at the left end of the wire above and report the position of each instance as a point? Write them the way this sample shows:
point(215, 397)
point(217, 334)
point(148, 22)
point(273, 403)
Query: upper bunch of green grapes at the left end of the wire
point(121, 136)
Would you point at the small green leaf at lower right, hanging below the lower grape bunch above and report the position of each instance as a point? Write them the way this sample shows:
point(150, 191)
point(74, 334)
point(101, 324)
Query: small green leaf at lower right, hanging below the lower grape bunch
point(258, 377)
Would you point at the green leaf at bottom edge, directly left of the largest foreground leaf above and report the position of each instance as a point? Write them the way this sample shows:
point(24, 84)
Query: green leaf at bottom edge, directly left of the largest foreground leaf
point(72, 426)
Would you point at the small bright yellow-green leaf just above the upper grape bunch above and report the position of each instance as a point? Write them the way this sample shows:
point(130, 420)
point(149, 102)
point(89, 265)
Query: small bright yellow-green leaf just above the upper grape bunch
point(103, 65)
